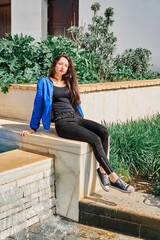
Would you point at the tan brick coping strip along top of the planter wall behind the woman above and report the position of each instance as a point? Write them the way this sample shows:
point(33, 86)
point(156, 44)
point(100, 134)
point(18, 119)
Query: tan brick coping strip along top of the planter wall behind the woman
point(100, 86)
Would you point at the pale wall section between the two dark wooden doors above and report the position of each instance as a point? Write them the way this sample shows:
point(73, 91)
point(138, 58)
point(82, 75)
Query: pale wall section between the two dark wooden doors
point(29, 17)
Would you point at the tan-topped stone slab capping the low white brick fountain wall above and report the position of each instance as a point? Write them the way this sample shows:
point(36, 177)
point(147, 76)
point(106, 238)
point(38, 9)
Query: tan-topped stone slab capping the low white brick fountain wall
point(17, 164)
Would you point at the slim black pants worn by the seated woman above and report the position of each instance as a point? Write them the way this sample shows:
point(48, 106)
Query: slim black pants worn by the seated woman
point(72, 126)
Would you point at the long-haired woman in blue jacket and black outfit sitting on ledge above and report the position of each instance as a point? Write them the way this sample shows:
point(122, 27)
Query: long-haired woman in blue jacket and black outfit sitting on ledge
point(59, 93)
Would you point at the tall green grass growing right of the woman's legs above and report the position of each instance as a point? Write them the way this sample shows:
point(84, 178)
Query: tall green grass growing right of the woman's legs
point(135, 149)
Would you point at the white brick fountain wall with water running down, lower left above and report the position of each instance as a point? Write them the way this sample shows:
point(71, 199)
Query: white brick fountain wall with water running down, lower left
point(26, 201)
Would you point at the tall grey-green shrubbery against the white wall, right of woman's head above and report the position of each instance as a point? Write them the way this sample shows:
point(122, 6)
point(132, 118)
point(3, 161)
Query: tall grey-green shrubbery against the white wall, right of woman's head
point(101, 43)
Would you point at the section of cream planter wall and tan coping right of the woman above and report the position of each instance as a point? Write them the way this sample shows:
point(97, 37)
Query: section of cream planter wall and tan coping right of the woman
point(121, 101)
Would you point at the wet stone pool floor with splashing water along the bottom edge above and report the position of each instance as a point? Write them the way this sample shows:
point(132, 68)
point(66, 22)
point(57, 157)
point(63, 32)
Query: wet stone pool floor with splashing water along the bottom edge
point(57, 228)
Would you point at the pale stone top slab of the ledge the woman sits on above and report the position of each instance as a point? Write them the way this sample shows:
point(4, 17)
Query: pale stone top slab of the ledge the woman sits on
point(42, 141)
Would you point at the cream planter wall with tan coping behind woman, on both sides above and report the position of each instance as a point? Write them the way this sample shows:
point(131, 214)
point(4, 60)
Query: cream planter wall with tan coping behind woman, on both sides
point(112, 102)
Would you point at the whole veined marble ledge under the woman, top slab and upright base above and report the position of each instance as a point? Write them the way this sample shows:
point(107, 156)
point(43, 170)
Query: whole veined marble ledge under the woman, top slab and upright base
point(74, 163)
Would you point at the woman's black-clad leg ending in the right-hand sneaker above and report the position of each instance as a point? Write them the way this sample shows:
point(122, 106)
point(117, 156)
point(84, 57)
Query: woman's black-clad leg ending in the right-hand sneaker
point(72, 130)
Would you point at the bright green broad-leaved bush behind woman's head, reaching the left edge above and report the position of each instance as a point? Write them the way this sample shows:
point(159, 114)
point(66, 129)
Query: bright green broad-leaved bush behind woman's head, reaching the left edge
point(24, 61)
